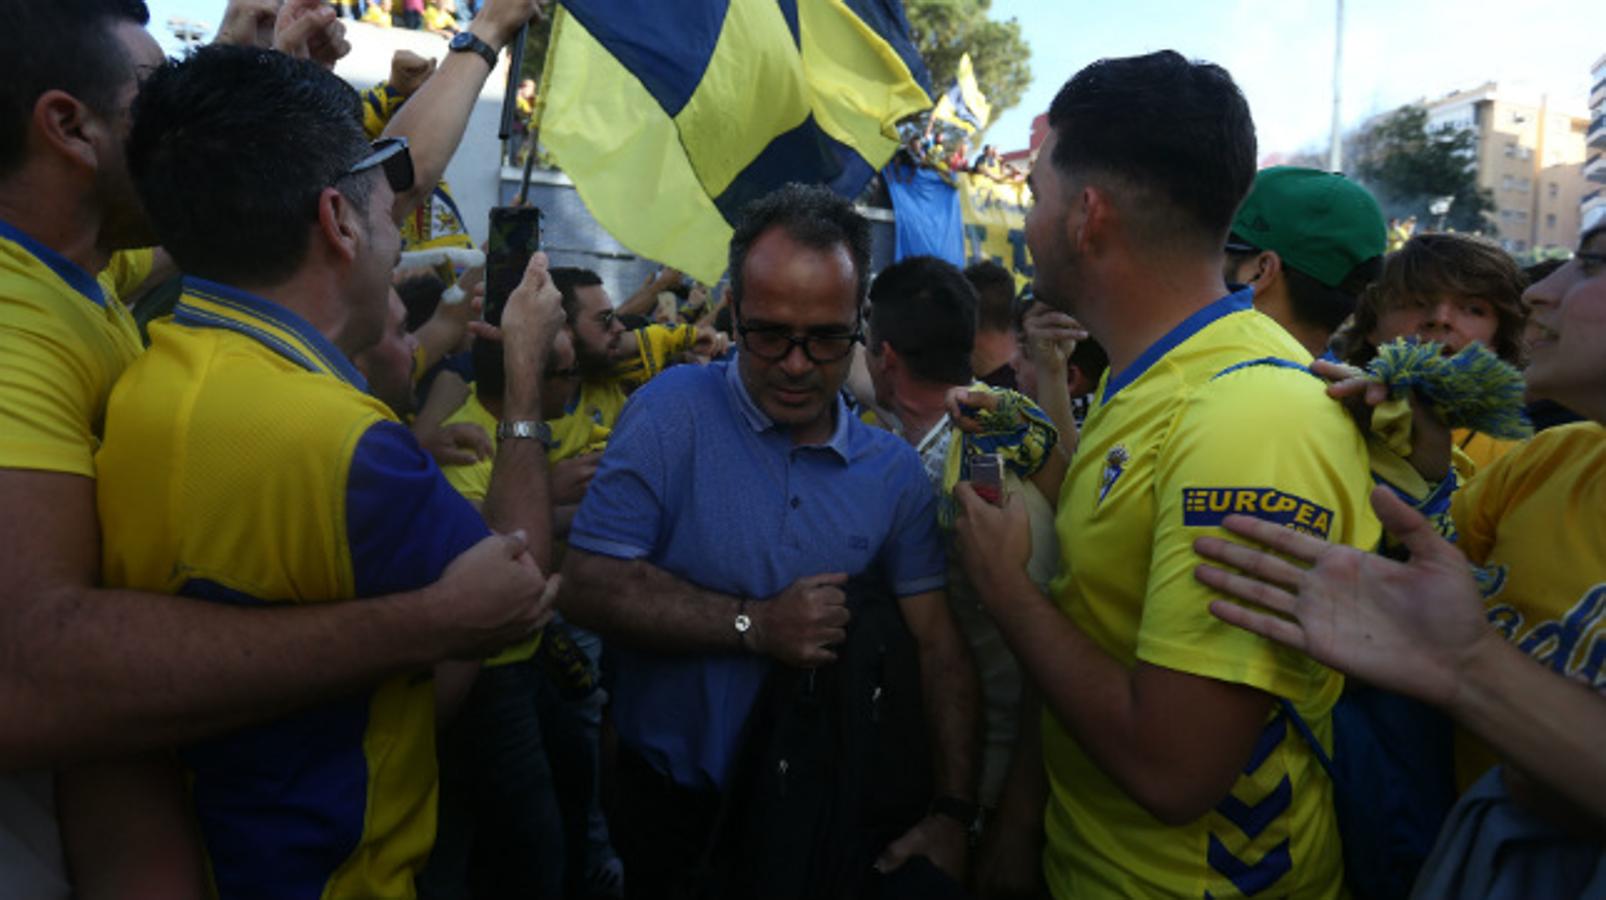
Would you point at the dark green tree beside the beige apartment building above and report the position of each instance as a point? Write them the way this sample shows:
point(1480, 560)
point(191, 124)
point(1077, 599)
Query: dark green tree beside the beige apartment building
point(1408, 168)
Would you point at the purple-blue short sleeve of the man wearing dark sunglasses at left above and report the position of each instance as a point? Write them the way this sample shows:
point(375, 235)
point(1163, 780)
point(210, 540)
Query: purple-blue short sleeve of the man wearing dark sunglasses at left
point(404, 523)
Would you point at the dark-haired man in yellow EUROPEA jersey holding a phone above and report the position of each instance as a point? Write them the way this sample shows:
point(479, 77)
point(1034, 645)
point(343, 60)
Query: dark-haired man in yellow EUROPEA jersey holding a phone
point(1172, 766)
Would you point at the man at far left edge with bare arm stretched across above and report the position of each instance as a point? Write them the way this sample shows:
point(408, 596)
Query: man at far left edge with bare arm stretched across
point(94, 671)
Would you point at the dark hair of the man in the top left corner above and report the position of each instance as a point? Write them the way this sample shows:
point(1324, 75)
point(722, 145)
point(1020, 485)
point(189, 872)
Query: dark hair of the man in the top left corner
point(59, 46)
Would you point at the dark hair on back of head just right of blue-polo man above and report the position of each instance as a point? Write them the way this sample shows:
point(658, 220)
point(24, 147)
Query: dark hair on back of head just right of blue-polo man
point(927, 311)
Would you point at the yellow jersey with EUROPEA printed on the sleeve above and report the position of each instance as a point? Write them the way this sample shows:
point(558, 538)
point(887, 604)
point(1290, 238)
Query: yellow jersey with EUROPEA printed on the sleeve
point(1178, 441)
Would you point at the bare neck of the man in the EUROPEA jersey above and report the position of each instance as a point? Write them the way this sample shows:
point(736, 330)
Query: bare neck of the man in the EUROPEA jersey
point(1143, 305)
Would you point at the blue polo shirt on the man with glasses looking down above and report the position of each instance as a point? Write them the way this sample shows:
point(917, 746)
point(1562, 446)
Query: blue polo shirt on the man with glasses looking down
point(703, 485)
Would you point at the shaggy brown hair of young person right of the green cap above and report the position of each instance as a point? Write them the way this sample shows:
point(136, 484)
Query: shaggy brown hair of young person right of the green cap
point(1430, 268)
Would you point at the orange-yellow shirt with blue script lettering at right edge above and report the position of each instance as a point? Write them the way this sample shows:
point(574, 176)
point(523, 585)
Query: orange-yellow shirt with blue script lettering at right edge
point(1535, 523)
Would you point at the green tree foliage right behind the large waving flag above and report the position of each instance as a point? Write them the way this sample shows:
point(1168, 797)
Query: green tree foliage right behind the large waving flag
point(948, 30)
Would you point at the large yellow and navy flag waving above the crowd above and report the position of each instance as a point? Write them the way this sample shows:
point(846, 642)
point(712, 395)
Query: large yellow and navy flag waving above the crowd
point(671, 118)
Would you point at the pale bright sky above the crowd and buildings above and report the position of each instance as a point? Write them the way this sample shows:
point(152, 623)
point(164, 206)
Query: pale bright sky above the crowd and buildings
point(1281, 52)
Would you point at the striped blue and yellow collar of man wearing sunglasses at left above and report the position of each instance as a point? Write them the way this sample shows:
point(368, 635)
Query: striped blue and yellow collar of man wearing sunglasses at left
point(208, 305)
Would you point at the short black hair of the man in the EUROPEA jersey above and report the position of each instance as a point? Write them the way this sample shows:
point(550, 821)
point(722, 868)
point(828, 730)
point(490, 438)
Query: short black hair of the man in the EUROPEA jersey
point(1176, 134)
